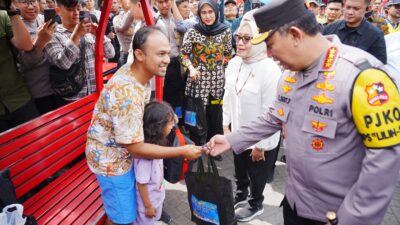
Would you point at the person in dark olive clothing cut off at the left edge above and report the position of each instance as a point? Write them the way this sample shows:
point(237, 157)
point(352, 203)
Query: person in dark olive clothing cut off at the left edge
point(16, 106)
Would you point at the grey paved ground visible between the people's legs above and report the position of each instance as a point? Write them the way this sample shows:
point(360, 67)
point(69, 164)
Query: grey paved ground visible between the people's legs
point(177, 206)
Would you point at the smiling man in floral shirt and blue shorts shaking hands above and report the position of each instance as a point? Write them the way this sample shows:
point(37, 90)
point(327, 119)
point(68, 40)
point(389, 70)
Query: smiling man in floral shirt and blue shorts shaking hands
point(116, 130)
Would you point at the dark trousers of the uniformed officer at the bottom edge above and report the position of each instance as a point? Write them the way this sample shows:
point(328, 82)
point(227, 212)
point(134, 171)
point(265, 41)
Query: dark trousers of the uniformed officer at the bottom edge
point(290, 216)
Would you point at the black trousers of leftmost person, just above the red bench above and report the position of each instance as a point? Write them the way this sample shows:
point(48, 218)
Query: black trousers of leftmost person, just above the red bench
point(24, 114)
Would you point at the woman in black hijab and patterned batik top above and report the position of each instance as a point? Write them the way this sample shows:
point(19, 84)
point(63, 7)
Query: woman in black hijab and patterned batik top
point(205, 51)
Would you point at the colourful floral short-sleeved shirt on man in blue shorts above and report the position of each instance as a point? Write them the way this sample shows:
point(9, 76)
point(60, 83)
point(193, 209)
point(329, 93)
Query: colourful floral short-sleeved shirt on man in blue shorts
point(117, 120)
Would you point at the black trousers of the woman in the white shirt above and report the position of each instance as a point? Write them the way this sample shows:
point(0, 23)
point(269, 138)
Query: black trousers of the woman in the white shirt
point(254, 174)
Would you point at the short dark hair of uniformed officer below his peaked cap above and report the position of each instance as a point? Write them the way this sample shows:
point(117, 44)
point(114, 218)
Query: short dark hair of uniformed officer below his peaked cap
point(307, 23)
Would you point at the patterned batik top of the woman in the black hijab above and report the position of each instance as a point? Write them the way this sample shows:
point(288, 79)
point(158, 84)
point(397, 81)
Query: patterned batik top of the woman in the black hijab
point(209, 55)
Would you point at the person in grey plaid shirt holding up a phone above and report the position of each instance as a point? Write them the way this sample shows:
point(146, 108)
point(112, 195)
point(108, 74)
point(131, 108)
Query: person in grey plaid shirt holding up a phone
point(64, 48)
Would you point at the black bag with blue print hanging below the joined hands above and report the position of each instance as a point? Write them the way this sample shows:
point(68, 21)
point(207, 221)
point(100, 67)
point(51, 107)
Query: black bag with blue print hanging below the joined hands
point(210, 196)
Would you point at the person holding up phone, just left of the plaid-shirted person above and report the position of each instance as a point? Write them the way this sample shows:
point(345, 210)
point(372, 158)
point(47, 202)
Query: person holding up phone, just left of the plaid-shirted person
point(34, 63)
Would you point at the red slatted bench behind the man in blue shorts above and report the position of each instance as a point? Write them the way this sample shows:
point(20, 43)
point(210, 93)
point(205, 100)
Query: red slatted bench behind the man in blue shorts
point(39, 149)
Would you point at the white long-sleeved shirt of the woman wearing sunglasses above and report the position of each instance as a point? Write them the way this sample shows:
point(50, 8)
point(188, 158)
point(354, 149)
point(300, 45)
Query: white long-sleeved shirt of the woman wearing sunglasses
point(250, 90)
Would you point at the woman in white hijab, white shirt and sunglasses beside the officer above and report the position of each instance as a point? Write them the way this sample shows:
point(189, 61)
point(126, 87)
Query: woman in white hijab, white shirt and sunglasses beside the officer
point(251, 85)
